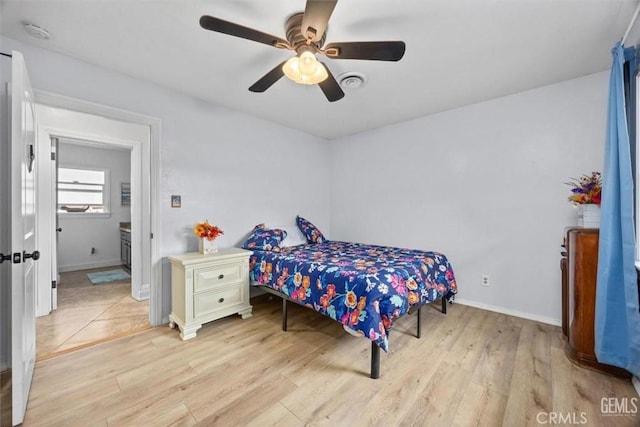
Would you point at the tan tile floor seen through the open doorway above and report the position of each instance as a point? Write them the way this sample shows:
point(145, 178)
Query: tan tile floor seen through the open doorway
point(88, 314)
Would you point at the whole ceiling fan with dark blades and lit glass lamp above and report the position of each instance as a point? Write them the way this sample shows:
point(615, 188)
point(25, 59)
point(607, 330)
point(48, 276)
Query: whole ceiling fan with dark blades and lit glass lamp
point(306, 33)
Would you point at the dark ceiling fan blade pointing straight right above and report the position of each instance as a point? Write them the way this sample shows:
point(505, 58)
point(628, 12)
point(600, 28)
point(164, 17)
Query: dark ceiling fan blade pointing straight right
point(377, 51)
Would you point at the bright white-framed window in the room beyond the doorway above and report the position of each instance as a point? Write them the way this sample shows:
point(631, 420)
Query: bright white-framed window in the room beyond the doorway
point(82, 190)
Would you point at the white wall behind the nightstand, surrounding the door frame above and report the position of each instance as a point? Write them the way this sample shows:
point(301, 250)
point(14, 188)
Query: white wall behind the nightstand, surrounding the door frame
point(231, 168)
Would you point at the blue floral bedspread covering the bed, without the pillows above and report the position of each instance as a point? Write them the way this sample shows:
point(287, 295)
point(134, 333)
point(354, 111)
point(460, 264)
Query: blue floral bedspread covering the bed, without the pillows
point(364, 287)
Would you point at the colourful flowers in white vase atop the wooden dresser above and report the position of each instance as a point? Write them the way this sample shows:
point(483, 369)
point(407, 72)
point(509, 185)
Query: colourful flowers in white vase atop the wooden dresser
point(586, 195)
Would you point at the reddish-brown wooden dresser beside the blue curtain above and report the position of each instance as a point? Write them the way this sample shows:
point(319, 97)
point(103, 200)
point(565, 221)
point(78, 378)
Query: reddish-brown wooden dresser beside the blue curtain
point(579, 267)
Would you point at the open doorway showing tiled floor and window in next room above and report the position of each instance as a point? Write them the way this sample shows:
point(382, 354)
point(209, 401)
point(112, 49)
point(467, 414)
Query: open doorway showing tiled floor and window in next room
point(94, 297)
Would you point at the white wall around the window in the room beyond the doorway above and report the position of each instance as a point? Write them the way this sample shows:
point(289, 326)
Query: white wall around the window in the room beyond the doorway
point(80, 234)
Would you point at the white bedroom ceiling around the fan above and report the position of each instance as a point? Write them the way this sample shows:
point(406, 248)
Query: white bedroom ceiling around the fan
point(458, 51)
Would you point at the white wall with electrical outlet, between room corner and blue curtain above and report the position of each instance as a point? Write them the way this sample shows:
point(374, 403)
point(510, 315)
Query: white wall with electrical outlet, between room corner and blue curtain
point(482, 184)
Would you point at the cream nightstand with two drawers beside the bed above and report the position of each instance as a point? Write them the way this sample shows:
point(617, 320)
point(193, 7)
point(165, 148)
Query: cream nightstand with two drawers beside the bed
point(208, 287)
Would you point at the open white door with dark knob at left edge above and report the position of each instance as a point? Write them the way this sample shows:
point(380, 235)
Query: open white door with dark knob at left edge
point(23, 236)
